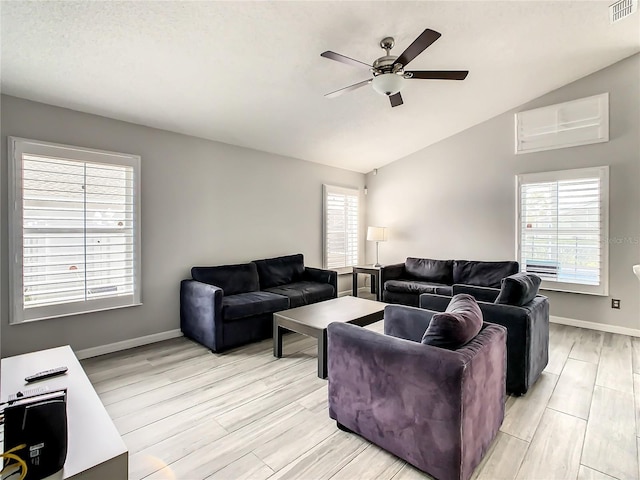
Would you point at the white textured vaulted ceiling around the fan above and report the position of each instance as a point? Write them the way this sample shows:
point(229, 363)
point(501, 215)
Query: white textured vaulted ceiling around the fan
point(250, 73)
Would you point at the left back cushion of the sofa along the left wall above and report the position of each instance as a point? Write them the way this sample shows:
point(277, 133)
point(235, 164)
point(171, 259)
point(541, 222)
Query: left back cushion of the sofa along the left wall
point(232, 279)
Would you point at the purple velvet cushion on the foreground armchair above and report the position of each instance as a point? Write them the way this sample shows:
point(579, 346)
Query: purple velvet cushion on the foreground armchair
point(456, 326)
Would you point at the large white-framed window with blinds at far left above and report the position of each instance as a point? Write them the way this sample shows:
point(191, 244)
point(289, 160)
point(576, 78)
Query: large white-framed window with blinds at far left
point(74, 230)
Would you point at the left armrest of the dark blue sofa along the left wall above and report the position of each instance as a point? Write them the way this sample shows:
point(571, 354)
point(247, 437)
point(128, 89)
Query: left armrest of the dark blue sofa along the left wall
point(201, 312)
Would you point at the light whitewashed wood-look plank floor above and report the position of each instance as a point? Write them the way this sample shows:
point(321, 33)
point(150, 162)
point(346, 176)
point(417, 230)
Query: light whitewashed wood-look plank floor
point(186, 413)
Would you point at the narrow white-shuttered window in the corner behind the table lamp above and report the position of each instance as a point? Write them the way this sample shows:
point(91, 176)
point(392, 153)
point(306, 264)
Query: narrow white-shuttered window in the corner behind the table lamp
point(340, 227)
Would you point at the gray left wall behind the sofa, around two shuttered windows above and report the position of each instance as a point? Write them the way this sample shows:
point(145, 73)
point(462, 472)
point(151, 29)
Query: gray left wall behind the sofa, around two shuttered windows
point(203, 203)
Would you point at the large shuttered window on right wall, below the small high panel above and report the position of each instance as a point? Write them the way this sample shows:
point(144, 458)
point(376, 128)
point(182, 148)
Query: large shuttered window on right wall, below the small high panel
point(562, 229)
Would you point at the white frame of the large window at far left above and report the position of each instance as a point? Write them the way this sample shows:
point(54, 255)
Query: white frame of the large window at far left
point(18, 146)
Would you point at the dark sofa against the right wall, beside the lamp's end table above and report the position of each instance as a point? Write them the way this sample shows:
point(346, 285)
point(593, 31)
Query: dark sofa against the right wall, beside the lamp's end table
point(403, 283)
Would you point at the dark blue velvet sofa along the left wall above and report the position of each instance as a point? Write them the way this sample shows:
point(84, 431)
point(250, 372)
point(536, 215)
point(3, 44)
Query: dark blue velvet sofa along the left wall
point(226, 306)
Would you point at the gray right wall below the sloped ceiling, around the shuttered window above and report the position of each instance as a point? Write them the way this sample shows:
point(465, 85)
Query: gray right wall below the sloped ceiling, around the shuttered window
point(456, 199)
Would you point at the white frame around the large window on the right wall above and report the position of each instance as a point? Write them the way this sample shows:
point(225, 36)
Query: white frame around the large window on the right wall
point(601, 172)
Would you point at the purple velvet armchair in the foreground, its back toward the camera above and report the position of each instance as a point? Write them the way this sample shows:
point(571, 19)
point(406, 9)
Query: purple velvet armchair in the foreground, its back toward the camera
point(437, 409)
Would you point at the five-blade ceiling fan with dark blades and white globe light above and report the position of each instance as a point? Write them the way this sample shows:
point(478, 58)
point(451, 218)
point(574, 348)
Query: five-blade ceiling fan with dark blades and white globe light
point(389, 71)
